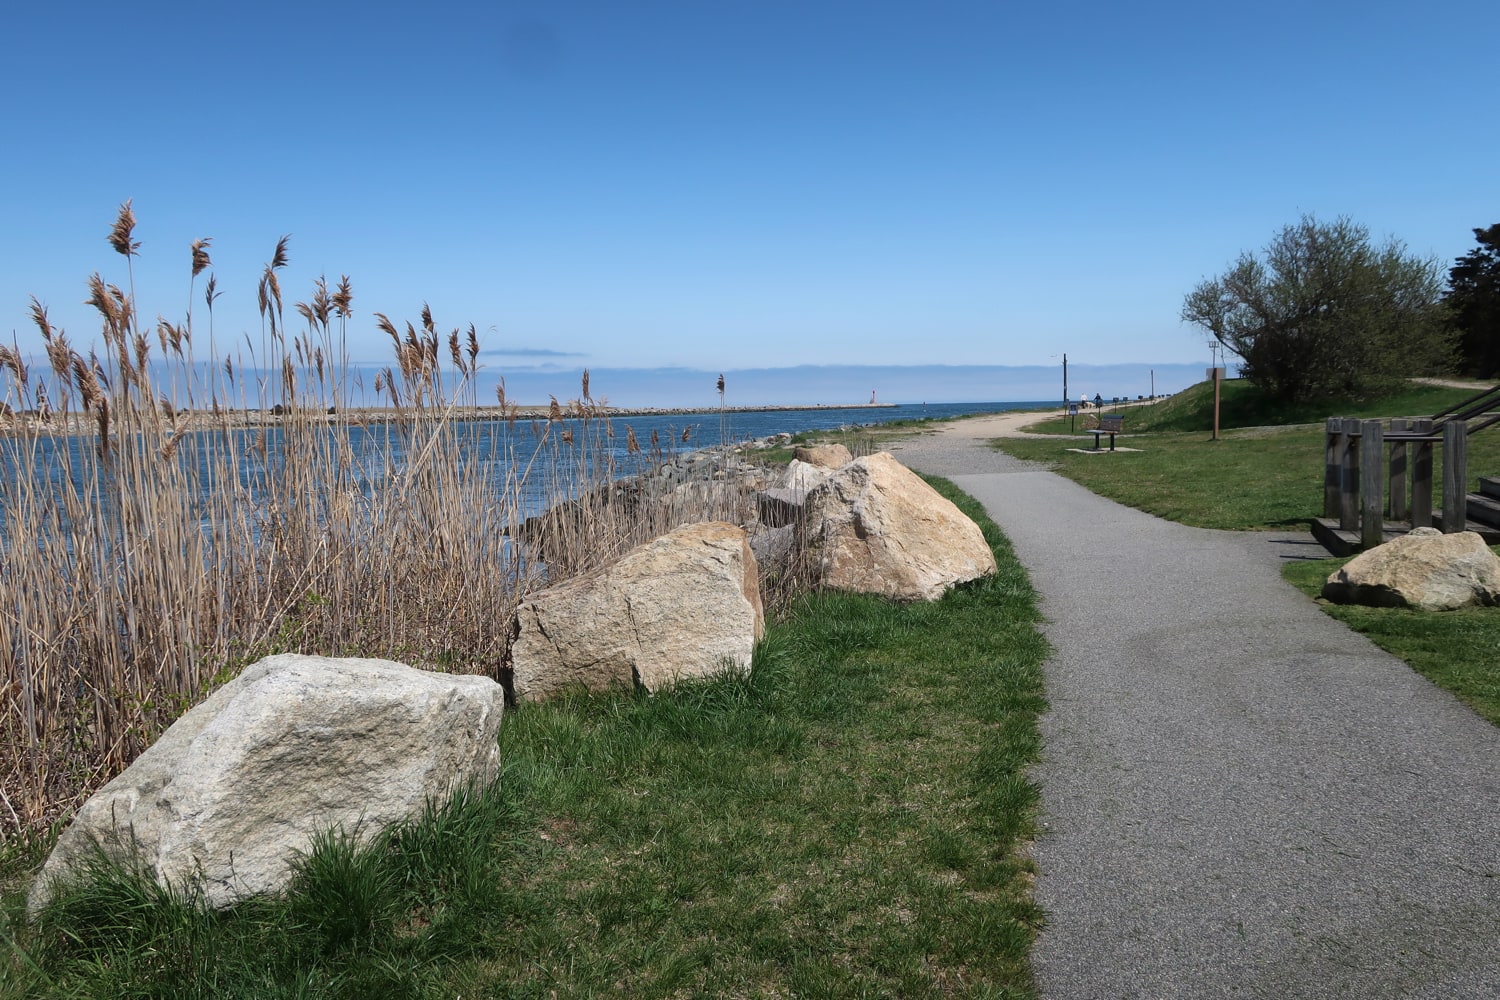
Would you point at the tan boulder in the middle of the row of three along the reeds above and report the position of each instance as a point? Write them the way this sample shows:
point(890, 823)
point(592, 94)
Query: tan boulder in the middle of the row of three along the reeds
point(686, 605)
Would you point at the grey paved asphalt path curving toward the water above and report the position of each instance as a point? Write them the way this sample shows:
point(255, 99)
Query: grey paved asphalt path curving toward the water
point(1241, 798)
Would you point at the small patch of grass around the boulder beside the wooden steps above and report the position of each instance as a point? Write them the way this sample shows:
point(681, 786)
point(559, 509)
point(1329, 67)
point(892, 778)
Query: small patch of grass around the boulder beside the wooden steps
point(1459, 651)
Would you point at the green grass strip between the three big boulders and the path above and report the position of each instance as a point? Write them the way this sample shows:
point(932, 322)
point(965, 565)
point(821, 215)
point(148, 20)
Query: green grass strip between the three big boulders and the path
point(847, 821)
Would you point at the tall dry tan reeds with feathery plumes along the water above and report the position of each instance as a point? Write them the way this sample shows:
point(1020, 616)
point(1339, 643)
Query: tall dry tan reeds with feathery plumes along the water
point(167, 518)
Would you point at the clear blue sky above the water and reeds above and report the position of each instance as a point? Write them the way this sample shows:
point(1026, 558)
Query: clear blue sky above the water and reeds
point(733, 185)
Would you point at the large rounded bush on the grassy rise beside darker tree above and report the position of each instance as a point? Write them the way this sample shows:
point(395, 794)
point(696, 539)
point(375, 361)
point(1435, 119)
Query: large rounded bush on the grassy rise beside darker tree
point(1325, 313)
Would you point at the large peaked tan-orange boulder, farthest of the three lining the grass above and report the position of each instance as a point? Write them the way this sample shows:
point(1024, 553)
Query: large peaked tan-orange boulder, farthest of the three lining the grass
point(875, 527)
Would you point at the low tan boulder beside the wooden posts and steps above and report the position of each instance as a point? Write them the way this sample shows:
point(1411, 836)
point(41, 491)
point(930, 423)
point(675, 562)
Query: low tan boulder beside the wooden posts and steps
point(1426, 570)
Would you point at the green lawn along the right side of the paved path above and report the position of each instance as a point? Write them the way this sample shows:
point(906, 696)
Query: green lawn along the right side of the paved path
point(1267, 473)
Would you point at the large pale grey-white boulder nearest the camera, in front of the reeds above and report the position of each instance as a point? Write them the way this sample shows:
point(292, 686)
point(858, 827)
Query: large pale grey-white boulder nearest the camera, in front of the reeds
point(236, 789)
